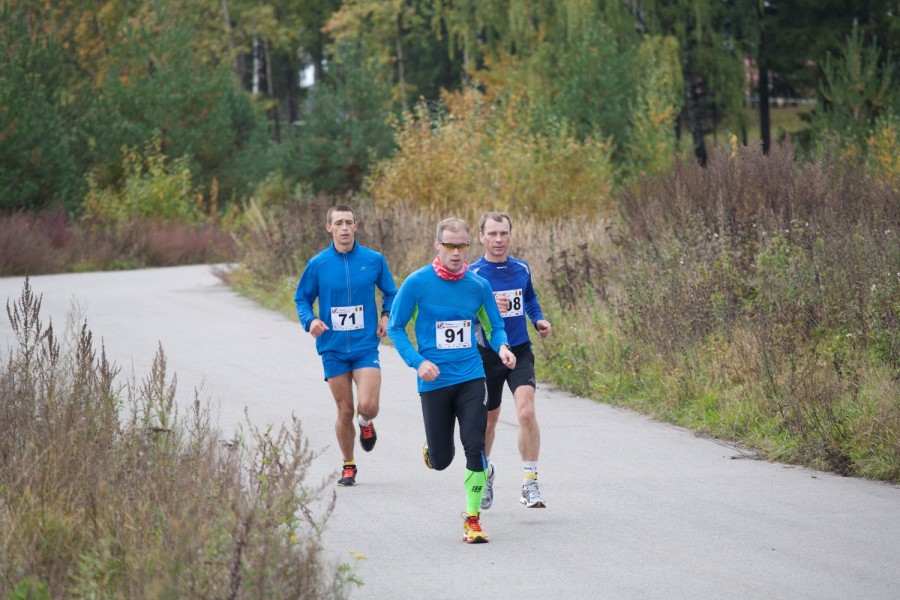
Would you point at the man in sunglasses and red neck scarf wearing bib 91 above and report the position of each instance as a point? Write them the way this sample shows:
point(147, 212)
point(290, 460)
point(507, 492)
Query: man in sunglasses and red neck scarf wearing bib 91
point(445, 300)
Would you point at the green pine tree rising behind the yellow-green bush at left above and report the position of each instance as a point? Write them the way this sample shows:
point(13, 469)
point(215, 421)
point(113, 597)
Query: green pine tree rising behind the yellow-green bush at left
point(157, 85)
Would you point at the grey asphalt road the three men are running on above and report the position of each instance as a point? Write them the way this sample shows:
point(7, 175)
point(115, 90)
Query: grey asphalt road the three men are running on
point(636, 508)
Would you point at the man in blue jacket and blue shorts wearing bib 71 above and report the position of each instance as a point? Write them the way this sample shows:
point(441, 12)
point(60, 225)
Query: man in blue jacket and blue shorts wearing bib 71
point(347, 328)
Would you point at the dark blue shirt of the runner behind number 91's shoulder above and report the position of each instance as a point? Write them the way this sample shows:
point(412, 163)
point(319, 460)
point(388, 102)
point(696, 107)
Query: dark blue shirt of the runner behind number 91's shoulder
point(512, 276)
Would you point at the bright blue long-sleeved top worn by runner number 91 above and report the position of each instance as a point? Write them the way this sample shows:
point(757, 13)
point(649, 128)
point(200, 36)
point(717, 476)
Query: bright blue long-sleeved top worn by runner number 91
point(445, 313)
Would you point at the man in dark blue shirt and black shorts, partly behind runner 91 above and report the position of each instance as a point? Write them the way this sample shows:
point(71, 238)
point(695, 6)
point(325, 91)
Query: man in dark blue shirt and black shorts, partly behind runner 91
point(510, 278)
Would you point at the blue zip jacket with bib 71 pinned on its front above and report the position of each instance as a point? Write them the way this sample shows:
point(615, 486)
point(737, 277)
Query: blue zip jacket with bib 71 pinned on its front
point(344, 284)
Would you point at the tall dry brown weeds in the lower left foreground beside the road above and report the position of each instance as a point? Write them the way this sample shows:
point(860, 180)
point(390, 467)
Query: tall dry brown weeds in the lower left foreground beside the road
point(106, 491)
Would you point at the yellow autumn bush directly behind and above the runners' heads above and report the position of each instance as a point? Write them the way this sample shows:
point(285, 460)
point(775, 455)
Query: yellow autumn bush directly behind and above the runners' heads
point(476, 155)
